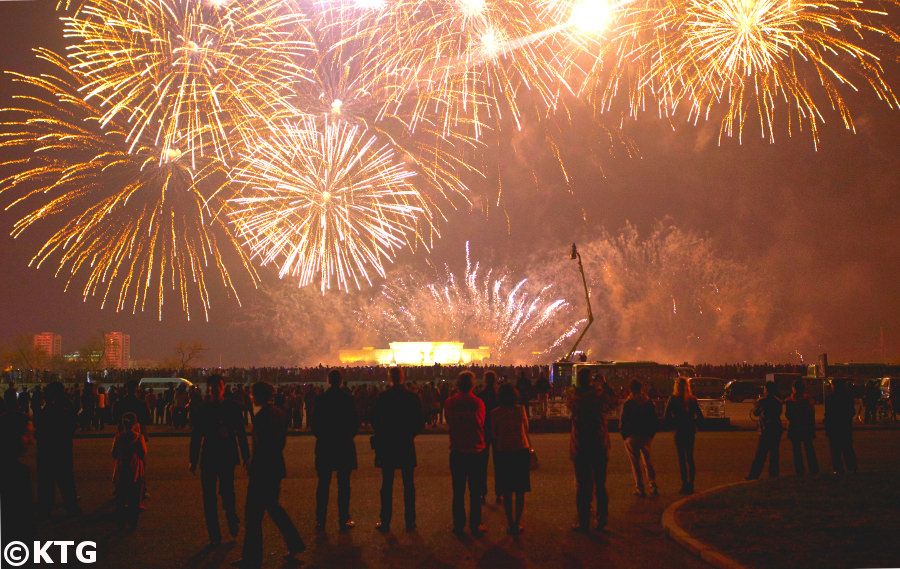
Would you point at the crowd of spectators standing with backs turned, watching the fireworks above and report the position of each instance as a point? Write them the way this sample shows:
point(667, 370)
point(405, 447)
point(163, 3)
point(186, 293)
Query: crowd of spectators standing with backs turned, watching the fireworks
point(491, 422)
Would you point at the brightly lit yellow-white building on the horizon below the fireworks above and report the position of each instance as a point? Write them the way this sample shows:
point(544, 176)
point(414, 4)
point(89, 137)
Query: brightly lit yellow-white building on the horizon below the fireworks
point(417, 353)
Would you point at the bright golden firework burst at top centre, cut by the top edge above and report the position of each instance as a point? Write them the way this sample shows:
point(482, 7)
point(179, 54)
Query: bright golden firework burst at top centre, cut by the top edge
point(470, 63)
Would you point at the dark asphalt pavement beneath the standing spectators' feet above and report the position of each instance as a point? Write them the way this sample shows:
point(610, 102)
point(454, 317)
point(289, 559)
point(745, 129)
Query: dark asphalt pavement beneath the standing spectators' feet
point(172, 534)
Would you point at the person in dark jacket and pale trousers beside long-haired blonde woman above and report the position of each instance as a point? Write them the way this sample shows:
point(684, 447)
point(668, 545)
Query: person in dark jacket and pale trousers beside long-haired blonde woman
point(638, 425)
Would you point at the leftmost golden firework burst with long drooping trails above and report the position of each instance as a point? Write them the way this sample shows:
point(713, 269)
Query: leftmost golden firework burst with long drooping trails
point(137, 228)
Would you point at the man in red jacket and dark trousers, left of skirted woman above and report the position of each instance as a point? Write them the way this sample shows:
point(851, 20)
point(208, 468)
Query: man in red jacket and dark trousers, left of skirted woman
point(465, 417)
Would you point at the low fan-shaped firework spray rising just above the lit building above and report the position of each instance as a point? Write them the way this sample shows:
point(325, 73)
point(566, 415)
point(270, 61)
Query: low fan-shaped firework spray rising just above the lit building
point(484, 308)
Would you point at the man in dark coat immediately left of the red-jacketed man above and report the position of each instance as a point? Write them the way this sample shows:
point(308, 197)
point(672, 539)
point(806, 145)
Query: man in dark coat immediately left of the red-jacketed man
point(397, 419)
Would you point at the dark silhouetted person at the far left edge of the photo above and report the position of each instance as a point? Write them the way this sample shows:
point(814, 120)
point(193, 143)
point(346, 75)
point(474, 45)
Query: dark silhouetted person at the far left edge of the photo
point(16, 492)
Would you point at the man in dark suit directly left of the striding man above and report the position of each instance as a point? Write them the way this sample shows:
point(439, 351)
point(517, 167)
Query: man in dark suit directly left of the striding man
point(217, 437)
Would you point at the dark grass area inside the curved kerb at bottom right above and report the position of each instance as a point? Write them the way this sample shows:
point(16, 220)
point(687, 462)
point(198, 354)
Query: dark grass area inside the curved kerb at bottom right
point(828, 521)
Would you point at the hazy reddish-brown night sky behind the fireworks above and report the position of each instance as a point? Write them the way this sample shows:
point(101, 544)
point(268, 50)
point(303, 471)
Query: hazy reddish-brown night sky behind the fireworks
point(824, 223)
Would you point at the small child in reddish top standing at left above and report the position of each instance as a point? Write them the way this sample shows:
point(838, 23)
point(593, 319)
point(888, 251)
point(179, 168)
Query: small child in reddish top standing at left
point(129, 451)
